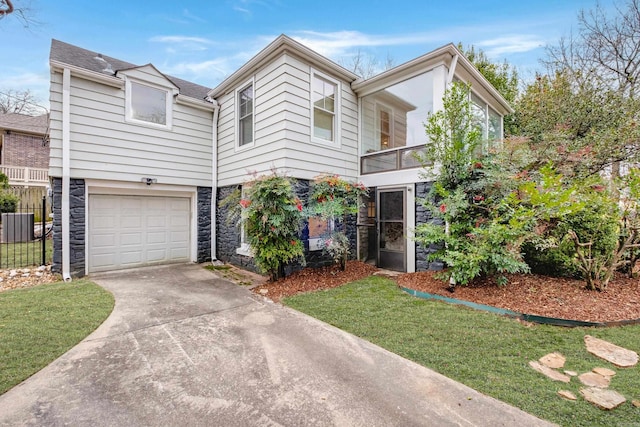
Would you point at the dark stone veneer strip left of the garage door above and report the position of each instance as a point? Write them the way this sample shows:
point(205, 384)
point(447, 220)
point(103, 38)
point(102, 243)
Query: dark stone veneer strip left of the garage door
point(77, 221)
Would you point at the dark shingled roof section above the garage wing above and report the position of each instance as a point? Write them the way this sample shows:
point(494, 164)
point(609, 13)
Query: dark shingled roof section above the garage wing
point(107, 66)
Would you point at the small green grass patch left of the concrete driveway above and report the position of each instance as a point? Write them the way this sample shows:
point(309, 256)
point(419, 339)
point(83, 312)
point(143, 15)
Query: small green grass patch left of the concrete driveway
point(39, 324)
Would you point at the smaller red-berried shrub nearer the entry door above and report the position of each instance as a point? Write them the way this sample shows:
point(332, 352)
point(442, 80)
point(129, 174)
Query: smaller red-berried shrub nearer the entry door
point(333, 199)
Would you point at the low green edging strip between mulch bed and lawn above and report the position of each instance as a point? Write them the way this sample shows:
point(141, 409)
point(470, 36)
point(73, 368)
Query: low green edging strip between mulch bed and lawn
point(515, 315)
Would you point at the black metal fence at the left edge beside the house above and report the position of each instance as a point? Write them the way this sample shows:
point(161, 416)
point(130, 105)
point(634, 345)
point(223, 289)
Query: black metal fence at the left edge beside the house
point(26, 236)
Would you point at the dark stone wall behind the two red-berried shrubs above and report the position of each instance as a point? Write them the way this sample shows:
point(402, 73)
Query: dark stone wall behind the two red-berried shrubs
point(228, 235)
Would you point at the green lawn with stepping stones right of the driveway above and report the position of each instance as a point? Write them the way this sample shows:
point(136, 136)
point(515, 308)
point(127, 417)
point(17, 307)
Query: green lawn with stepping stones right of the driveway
point(487, 352)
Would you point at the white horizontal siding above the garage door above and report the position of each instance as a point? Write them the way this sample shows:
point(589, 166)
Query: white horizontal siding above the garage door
point(105, 146)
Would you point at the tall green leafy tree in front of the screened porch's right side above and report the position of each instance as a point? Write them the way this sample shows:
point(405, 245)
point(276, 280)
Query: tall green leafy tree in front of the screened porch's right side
point(479, 228)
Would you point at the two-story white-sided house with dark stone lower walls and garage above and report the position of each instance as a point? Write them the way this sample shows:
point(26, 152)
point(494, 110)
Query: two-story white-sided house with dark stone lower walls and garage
point(130, 144)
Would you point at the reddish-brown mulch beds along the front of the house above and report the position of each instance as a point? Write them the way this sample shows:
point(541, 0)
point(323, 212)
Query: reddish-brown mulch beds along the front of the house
point(531, 294)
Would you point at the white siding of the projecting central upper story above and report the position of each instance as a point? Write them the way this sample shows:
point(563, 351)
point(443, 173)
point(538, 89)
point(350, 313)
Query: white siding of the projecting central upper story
point(282, 125)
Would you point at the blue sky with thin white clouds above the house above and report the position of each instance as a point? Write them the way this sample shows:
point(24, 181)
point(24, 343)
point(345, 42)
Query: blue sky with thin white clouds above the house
point(205, 41)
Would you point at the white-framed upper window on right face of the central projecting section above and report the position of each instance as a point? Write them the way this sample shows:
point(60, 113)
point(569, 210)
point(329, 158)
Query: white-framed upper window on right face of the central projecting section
point(324, 105)
